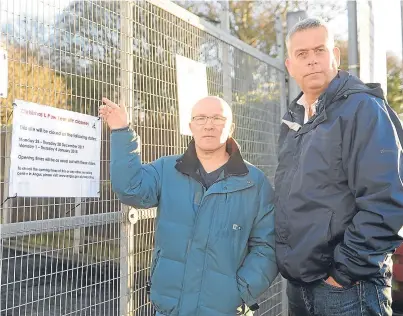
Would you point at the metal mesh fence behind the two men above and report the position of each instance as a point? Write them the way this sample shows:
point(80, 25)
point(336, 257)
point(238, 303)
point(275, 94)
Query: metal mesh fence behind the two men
point(73, 256)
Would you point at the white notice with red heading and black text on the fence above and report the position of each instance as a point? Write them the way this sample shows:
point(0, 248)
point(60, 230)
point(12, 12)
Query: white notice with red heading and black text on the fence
point(54, 152)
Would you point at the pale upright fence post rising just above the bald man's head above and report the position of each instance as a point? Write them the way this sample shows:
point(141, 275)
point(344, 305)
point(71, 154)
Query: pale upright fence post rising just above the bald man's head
point(226, 70)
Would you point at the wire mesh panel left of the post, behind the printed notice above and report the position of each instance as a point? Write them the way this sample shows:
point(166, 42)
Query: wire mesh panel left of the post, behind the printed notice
point(60, 256)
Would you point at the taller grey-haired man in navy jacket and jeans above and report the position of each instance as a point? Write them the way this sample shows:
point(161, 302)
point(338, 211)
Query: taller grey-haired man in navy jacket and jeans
point(339, 192)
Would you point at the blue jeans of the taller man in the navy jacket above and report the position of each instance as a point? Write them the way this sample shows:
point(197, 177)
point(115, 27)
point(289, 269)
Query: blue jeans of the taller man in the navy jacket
point(322, 299)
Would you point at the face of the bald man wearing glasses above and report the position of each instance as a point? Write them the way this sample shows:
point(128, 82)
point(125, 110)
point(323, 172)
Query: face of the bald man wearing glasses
point(211, 124)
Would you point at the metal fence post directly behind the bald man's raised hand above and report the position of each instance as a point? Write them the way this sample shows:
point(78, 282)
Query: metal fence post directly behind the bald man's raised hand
point(126, 97)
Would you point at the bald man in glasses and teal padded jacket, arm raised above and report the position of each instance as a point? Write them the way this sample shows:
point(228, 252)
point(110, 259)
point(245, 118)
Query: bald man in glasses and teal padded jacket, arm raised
point(214, 238)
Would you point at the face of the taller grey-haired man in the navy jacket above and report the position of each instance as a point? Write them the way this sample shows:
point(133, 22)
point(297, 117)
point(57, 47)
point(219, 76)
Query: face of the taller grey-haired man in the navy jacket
point(313, 60)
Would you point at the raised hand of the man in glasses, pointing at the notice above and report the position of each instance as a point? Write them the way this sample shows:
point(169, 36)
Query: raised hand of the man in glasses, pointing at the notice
point(114, 115)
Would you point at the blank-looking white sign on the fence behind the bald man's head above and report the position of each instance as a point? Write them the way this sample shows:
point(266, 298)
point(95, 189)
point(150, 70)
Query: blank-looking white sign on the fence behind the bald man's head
point(191, 79)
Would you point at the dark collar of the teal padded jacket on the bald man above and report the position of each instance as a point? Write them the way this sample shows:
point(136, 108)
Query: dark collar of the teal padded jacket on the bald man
point(189, 164)
